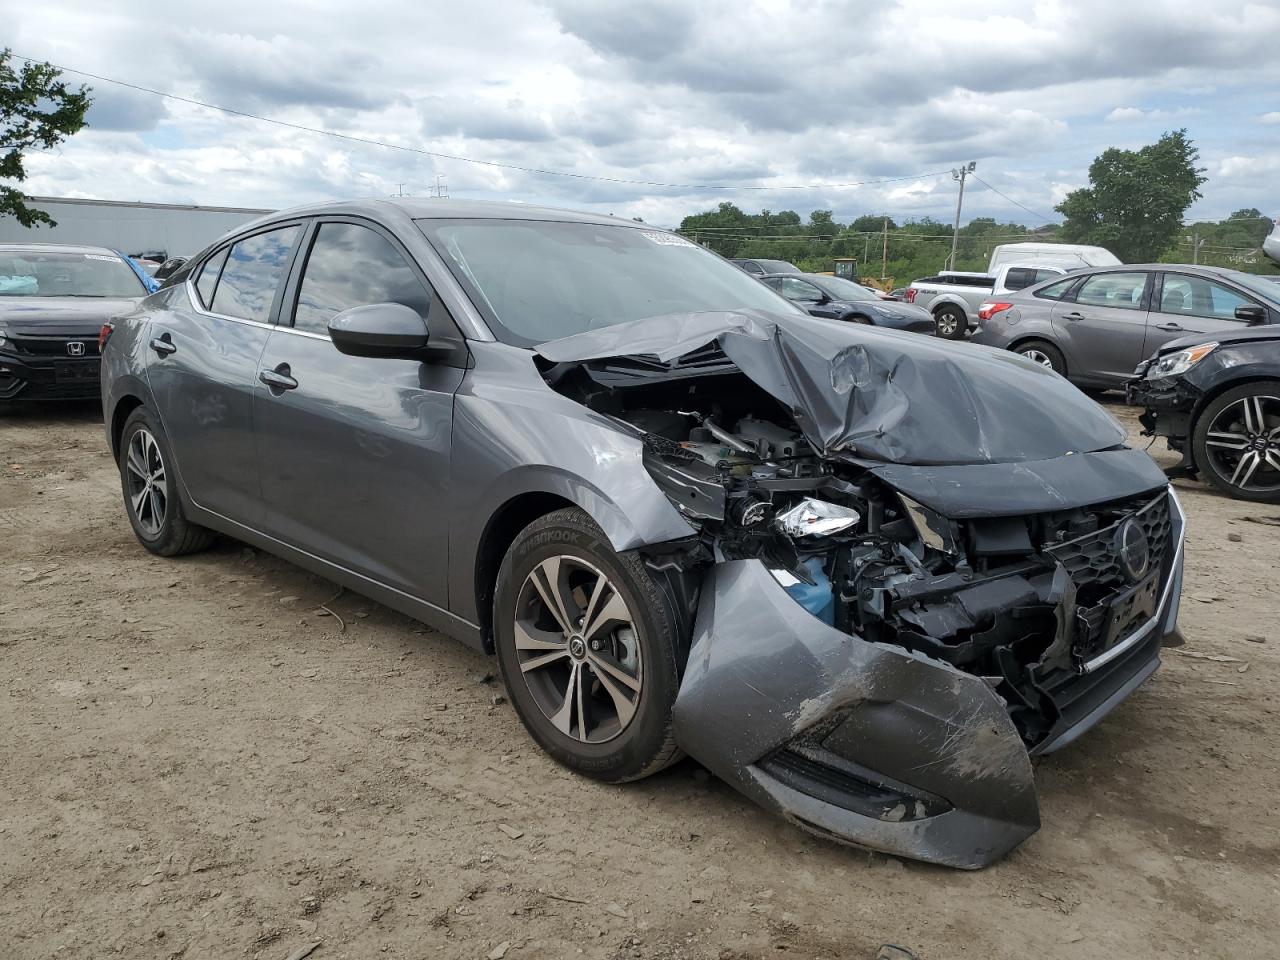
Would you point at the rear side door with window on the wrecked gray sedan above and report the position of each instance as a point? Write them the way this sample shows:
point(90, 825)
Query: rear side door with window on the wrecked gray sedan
point(203, 368)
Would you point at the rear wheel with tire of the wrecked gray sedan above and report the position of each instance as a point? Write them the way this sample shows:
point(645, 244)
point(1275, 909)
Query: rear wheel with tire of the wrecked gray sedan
point(149, 486)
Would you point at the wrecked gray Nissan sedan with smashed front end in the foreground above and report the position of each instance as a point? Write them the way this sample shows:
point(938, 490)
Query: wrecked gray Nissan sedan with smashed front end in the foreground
point(861, 575)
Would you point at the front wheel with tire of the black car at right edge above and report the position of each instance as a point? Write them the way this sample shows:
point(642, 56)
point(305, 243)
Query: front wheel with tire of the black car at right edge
point(1238, 428)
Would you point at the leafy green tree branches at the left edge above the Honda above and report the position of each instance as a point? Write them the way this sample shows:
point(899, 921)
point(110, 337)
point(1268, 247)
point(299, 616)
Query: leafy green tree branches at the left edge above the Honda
point(38, 111)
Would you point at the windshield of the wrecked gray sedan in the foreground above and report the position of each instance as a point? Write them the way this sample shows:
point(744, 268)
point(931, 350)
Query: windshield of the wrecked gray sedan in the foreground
point(538, 281)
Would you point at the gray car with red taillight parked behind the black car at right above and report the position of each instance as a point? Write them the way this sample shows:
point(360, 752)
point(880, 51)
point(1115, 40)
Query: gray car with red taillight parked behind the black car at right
point(1096, 327)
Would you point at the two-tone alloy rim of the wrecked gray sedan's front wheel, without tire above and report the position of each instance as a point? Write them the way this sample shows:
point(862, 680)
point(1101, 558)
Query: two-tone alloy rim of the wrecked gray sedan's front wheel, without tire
point(578, 650)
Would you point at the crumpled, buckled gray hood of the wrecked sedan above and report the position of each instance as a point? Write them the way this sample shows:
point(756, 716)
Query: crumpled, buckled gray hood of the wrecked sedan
point(879, 395)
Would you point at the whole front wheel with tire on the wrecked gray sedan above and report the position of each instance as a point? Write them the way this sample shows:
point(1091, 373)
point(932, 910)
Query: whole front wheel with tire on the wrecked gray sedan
point(568, 547)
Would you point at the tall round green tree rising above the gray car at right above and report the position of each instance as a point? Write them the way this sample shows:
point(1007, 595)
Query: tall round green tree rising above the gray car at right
point(1136, 199)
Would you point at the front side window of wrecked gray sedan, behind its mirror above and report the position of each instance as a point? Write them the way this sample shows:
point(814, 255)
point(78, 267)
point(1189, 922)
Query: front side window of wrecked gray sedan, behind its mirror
point(353, 267)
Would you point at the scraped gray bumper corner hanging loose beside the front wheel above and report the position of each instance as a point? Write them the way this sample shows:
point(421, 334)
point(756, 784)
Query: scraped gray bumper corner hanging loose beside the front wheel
point(762, 673)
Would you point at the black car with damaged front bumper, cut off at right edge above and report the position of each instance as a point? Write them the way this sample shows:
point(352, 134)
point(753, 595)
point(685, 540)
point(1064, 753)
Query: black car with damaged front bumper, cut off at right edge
point(1217, 400)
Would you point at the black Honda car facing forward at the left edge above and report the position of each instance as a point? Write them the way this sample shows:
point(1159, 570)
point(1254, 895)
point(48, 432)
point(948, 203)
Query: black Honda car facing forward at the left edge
point(54, 301)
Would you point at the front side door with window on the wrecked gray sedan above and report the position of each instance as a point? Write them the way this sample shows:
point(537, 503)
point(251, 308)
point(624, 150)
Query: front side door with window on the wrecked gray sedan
point(355, 454)
